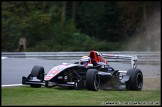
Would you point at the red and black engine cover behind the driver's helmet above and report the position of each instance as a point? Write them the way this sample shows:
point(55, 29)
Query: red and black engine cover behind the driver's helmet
point(97, 57)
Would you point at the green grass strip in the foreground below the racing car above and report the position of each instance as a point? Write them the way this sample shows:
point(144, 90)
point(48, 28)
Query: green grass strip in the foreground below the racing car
point(59, 96)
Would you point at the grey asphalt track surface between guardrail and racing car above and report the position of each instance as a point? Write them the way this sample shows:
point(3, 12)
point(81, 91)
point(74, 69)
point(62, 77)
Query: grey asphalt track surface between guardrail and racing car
point(12, 69)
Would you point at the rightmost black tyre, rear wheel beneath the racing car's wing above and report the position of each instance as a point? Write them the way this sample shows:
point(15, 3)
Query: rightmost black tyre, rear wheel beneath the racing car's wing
point(136, 79)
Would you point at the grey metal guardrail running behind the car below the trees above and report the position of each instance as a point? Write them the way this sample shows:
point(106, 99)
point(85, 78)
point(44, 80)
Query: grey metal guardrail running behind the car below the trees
point(142, 56)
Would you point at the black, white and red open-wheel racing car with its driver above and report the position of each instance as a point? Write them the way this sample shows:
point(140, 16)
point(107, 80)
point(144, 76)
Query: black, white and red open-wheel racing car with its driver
point(91, 72)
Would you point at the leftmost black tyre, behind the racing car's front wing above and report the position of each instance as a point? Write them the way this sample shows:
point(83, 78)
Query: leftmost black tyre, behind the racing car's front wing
point(38, 71)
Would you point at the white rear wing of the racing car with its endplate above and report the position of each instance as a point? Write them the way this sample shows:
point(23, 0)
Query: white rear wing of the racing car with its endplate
point(133, 58)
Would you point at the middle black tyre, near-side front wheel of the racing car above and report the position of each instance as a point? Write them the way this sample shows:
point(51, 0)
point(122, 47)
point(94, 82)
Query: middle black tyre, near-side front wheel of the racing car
point(92, 80)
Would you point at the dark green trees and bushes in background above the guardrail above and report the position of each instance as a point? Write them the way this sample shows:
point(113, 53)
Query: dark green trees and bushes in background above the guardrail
point(78, 25)
